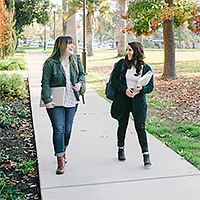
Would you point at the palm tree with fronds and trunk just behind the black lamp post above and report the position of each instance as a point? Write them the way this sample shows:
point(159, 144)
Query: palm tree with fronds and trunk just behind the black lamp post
point(93, 6)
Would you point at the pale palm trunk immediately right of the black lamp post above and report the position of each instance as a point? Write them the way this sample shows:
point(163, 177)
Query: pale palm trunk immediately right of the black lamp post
point(89, 33)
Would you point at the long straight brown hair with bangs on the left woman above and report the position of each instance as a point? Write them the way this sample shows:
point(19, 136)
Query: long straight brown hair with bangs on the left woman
point(60, 46)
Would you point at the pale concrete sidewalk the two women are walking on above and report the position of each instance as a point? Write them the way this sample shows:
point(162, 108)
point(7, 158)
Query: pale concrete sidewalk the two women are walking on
point(93, 171)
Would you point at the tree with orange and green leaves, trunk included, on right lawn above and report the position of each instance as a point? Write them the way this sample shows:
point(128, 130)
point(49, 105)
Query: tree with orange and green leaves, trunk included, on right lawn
point(149, 15)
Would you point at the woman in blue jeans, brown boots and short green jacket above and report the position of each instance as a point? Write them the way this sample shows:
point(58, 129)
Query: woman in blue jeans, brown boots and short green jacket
point(62, 69)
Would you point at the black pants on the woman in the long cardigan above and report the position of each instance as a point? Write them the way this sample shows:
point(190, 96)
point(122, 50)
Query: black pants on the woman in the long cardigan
point(122, 126)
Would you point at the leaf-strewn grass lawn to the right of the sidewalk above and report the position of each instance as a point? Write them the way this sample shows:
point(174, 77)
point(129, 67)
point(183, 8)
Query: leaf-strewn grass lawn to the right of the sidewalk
point(173, 106)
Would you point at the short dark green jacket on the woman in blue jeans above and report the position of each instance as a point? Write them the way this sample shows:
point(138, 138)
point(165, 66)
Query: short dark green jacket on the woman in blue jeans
point(54, 76)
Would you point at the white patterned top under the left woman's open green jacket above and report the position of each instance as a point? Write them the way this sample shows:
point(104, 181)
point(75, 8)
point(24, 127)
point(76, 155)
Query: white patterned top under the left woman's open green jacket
point(70, 99)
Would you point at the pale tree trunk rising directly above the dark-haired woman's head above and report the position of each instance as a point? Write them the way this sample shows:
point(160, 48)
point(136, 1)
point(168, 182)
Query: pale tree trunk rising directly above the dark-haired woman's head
point(122, 24)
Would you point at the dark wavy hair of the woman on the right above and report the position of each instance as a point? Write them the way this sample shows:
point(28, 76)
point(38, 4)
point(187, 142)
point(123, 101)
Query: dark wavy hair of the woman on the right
point(138, 57)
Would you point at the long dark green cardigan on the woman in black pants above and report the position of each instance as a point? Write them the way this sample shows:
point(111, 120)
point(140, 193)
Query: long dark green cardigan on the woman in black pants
point(139, 104)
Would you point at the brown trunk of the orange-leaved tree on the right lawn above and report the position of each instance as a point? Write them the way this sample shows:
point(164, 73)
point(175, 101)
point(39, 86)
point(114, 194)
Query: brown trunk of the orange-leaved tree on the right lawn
point(169, 71)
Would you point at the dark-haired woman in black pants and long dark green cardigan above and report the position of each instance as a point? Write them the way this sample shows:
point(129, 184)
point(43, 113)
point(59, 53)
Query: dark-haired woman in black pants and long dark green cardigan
point(124, 79)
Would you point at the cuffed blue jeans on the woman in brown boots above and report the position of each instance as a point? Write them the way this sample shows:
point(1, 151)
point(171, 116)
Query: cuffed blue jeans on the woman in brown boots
point(61, 120)
